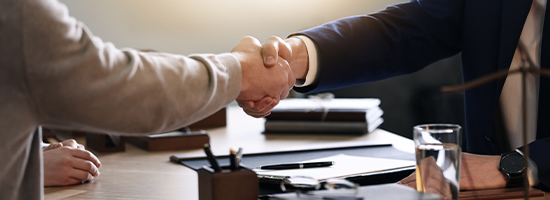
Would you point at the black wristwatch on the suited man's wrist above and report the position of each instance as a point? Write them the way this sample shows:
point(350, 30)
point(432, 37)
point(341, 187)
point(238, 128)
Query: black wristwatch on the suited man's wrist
point(512, 166)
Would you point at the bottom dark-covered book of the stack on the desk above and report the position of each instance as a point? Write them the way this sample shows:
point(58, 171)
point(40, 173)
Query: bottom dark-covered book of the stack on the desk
point(342, 127)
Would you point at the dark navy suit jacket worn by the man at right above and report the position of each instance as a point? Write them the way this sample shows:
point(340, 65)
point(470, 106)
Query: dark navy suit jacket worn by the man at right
point(406, 37)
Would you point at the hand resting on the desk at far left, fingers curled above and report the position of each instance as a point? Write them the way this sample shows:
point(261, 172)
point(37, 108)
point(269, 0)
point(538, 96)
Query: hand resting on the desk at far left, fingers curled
point(69, 165)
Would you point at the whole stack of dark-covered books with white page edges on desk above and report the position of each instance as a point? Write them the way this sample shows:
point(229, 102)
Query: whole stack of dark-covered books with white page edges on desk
point(356, 116)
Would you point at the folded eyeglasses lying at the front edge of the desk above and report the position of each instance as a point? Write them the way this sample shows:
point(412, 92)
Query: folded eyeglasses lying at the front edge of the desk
point(310, 188)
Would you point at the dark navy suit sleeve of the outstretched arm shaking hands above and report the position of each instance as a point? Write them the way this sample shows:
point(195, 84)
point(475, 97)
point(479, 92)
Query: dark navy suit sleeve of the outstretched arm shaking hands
point(401, 39)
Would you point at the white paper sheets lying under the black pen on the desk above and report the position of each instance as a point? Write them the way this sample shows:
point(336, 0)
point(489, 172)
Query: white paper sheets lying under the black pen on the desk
point(344, 166)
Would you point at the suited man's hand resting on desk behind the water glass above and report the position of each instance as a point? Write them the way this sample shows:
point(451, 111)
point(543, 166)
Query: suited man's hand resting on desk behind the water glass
point(477, 172)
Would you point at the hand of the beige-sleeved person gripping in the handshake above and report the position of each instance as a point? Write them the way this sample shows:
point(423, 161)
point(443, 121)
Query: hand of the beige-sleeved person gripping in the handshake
point(265, 81)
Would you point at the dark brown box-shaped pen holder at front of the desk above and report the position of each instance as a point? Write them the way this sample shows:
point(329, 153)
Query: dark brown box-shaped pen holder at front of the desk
point(239, 184)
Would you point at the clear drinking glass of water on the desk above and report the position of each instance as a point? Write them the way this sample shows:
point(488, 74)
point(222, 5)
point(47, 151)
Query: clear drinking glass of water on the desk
point(438, 144)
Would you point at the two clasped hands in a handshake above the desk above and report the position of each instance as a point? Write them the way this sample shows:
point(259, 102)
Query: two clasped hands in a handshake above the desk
point(269, 72)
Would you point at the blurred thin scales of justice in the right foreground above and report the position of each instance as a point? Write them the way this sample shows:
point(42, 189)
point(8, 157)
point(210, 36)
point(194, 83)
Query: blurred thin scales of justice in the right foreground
point(523, 69)
